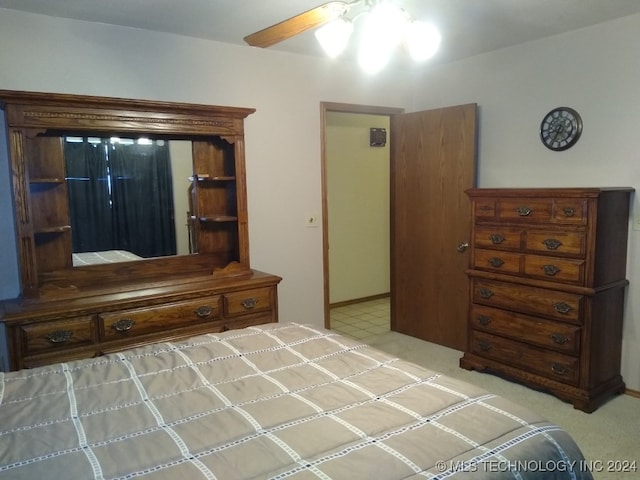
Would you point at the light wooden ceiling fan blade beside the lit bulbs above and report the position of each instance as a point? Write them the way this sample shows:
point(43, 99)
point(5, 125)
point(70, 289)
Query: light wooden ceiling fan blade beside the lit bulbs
point(297, 24)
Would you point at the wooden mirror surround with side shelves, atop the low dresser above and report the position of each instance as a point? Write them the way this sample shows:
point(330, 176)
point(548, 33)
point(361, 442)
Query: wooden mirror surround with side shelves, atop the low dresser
point(36, 125)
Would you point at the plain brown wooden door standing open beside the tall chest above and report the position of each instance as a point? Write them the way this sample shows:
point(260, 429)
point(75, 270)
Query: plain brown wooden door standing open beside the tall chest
point(432, 164)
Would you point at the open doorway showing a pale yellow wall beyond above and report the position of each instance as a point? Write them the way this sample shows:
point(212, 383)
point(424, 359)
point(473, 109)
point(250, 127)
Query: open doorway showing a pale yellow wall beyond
point(355, 195)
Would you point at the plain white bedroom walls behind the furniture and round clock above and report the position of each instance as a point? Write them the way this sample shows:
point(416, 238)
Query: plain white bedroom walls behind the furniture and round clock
point(595, 70)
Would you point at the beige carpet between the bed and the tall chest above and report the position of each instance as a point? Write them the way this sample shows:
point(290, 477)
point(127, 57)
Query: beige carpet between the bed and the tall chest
point(608, 437)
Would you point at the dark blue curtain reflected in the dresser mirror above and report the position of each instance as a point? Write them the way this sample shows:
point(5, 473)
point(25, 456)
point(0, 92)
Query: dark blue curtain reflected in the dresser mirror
point(124, 200)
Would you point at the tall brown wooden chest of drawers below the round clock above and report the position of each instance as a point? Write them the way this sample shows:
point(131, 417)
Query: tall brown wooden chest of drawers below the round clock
point(547, 289)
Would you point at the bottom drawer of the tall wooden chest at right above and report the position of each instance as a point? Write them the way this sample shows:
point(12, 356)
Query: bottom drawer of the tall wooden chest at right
point(547, 363)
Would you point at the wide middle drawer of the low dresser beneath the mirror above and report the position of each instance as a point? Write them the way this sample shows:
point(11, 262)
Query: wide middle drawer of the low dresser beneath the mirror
point(144, 320)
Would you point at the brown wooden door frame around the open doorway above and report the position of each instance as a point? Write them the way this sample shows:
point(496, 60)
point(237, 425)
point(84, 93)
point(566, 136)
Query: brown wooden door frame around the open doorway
point(343, 108)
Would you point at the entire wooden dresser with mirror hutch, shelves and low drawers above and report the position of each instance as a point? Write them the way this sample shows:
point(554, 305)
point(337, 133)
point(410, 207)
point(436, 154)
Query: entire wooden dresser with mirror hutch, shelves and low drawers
point(77, 302)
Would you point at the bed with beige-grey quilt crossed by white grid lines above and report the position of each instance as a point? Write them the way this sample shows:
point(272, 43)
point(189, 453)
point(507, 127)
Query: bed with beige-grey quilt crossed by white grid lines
point(281, 401)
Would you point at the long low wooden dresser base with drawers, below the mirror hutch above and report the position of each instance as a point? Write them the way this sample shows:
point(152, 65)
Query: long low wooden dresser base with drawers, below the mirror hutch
point(49, 332)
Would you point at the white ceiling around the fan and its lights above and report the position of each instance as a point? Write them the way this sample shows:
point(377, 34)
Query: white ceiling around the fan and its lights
point(468, 27)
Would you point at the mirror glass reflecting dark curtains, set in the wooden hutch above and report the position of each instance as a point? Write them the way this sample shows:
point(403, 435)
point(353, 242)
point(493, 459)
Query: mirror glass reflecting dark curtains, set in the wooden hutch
point(128, 197)
